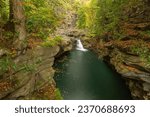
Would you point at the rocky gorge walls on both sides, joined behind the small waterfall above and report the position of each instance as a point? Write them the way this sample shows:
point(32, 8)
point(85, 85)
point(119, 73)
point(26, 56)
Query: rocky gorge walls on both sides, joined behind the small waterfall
point(30, 74)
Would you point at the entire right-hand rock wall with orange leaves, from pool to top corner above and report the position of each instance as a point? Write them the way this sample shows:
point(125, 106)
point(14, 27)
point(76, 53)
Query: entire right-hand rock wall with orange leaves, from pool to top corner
point(129, 56)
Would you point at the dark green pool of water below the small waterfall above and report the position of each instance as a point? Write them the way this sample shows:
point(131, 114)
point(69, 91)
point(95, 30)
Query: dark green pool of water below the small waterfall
point(83, 76)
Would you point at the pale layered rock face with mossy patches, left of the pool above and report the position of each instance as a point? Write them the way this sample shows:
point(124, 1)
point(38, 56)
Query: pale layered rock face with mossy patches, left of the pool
point(32, 76)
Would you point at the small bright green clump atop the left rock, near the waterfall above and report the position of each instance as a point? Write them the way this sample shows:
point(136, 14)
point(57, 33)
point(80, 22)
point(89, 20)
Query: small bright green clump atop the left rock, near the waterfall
point(52, 42)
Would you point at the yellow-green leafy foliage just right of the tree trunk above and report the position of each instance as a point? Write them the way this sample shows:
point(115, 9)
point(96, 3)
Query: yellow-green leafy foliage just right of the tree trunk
point(41, 18)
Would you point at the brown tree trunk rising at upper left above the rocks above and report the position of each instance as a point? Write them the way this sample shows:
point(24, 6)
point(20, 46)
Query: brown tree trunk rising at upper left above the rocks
point(17, 18)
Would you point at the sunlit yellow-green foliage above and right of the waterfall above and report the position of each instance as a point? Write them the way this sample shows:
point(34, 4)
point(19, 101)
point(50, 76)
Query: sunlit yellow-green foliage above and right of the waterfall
point(102, 16)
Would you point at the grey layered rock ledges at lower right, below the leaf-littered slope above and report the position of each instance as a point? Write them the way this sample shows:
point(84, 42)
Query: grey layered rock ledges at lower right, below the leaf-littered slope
point(134, 70)
